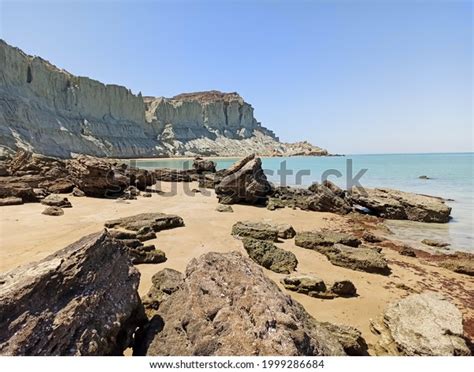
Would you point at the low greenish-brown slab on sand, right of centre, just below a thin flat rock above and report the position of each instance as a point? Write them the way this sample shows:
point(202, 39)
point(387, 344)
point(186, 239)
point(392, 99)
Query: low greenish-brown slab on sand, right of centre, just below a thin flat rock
point(360, 259)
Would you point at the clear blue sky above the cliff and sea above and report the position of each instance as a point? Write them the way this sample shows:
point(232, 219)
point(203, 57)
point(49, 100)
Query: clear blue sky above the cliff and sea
point(351, 76)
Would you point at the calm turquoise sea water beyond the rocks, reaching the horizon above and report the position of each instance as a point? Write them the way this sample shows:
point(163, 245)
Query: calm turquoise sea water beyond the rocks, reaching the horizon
point(451, 177)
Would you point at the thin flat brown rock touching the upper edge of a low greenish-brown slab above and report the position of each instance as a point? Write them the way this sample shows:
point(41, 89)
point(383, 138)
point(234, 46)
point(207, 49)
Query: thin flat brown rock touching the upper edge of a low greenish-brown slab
point(324, 238)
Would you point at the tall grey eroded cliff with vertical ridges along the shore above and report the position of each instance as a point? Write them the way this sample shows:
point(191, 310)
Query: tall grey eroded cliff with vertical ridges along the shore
point(48, 110)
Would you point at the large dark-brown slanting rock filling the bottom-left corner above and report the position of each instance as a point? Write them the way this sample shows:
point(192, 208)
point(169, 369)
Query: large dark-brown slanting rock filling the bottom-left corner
point(82, 300)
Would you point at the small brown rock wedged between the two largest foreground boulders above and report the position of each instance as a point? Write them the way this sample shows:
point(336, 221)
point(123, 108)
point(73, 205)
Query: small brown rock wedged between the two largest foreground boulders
point(164, 283)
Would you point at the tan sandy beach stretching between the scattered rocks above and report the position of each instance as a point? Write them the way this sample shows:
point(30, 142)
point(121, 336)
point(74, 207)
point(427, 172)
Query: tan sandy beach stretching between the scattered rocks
point(27, 235)
